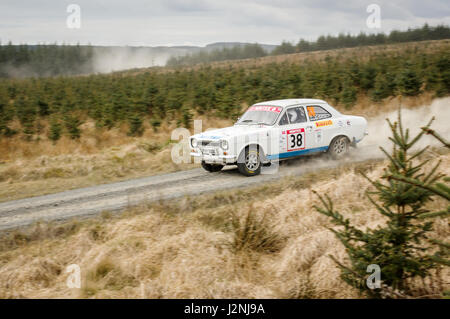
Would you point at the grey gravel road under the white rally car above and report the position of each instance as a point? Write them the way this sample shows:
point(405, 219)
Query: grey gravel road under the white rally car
point(89, 201)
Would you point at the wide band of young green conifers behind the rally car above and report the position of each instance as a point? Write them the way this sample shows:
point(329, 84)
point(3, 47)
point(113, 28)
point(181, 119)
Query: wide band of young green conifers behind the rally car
point(153, 97)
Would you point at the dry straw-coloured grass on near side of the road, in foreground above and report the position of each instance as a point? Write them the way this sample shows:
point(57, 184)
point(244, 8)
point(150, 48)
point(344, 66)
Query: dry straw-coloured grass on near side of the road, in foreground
point(263, 242)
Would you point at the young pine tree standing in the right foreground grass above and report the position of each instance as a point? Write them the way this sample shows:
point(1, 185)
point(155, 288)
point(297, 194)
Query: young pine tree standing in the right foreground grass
point(400, 246)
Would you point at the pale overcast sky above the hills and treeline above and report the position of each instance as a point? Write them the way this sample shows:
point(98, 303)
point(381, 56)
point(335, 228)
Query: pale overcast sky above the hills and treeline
point(199, 22)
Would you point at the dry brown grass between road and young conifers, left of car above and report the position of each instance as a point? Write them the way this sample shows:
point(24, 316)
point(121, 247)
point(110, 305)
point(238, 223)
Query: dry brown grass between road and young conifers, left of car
point(30, 168)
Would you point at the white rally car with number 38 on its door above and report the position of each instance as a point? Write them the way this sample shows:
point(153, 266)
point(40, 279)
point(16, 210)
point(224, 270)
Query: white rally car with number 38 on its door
point(276, 130)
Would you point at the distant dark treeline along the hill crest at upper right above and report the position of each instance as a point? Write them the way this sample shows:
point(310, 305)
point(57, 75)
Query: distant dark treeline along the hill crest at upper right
point(323, 43)
